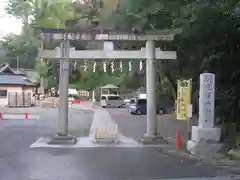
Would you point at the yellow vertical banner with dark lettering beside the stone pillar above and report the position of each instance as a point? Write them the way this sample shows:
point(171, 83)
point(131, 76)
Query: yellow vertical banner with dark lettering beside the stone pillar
point(183, 98)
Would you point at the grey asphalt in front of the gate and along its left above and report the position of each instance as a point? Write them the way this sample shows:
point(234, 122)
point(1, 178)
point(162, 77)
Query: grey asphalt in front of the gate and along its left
point(19, 162)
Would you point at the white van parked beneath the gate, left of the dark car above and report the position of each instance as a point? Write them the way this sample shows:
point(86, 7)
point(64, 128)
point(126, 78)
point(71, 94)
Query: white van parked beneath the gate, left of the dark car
point(112, 101)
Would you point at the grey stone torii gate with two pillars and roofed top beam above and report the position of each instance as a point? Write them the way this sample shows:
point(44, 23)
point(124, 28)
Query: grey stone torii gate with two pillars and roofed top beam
point(65, 53)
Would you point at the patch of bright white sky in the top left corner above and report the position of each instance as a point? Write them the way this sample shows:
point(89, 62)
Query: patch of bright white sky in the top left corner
point(8, 24)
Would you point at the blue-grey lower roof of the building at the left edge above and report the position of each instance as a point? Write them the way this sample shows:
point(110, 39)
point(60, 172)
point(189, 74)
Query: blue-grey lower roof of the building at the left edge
point(14, 80)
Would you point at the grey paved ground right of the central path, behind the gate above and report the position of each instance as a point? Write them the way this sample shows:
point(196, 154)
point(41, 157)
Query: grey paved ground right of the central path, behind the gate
point(135, 125)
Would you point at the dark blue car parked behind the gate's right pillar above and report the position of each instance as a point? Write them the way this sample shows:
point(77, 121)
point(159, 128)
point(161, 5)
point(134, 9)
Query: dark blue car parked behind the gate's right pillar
point(139, 107)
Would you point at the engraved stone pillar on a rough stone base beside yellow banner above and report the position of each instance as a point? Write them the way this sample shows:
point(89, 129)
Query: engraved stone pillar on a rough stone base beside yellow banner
point(205, 137)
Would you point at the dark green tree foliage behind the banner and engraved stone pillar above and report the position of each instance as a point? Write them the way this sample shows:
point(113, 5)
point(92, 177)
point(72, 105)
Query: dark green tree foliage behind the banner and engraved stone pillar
point(209, 43)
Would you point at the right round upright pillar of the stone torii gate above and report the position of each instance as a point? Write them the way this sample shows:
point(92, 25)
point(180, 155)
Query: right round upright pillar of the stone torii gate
point(151, 89)
